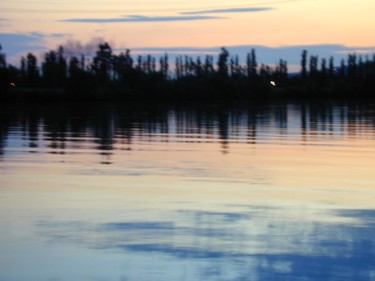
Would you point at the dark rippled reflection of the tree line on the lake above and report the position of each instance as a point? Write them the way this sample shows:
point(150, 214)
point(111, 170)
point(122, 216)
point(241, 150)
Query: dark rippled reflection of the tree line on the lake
point(110, 127)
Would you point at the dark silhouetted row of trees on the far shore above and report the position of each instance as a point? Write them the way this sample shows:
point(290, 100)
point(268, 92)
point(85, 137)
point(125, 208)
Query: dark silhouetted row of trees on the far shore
point(112, 76)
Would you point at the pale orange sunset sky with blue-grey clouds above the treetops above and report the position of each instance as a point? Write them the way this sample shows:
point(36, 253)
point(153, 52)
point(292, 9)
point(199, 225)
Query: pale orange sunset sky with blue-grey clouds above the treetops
point(277, 29)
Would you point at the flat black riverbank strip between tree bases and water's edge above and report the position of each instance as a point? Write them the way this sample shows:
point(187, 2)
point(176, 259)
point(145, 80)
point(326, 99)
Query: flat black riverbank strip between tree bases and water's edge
point(118, 95)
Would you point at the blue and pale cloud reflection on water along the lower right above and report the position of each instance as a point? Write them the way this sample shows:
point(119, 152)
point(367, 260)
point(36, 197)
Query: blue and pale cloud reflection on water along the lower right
point(257, 244)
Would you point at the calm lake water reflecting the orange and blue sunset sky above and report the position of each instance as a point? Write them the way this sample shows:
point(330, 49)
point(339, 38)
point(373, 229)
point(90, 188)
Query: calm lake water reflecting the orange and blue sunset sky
point(130, 192)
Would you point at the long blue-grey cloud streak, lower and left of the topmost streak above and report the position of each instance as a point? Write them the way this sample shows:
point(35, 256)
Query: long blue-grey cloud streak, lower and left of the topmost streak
point(140, 18)
